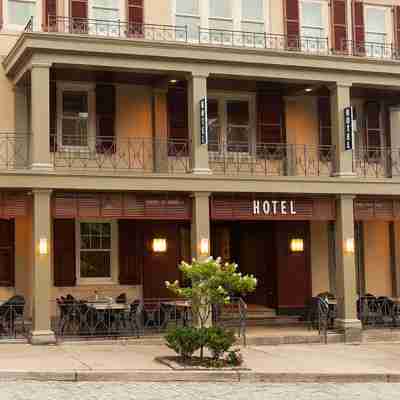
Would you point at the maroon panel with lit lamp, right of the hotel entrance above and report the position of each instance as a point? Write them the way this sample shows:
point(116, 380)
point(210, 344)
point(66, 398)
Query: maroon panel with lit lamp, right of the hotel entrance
point(293, 269)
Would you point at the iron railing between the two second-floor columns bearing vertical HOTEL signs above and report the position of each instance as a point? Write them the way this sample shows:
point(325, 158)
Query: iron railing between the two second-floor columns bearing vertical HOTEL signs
point(271, 159)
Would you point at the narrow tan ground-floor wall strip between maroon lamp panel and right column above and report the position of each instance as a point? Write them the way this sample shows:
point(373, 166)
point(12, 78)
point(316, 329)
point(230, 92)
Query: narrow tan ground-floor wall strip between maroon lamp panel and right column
point(319, 257)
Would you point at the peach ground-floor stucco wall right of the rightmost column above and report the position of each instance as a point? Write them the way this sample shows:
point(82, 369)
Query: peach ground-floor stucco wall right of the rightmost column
point(377, 258)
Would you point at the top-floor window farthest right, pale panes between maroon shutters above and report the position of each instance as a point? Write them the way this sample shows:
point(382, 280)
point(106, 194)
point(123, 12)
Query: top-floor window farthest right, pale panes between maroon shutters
point(377, 30)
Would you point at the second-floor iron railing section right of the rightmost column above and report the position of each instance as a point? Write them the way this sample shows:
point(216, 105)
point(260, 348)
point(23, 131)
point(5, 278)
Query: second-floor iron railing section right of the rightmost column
point(377, 162)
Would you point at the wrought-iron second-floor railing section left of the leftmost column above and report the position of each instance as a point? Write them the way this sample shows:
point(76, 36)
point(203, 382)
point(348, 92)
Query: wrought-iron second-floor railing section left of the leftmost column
point(14, 150)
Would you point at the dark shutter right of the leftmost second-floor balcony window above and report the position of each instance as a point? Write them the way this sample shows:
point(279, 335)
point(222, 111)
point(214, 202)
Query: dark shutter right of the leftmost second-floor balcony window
point(105, 111)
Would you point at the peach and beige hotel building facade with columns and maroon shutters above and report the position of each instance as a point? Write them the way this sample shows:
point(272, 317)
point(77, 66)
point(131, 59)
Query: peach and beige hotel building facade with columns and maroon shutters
point(263, 131)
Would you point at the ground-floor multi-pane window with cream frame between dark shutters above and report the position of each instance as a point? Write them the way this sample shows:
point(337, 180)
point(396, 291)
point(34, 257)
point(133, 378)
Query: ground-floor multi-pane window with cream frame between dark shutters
point(95, 255)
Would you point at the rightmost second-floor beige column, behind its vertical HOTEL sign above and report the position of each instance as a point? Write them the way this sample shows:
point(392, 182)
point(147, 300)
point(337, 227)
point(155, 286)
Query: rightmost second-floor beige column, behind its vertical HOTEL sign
point(340, 99)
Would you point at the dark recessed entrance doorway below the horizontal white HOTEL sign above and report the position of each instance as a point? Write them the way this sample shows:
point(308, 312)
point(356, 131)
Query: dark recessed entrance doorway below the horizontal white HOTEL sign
point(257, 256)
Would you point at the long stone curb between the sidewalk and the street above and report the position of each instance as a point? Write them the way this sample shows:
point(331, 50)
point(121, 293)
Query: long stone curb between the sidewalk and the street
point(194, 376)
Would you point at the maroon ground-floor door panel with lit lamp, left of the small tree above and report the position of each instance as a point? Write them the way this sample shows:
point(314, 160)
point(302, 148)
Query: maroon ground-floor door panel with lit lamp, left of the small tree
point(160, 267)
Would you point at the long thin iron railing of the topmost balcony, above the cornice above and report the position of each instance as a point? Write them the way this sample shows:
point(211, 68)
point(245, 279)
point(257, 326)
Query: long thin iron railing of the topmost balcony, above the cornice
point(214, 37)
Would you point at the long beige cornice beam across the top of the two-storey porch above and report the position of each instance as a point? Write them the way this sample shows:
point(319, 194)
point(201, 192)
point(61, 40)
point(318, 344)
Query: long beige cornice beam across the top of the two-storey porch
point(152, 56)
